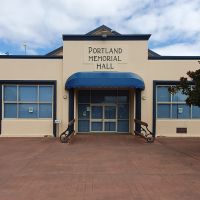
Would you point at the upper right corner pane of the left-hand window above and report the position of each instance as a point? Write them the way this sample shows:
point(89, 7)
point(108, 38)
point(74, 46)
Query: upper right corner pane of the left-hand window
point(45, 93)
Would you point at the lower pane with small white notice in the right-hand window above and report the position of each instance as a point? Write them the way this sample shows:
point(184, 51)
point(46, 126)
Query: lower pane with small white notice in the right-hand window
point(180, 111)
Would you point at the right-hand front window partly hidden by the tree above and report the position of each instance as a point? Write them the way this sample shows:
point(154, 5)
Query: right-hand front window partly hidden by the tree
point(173, 106)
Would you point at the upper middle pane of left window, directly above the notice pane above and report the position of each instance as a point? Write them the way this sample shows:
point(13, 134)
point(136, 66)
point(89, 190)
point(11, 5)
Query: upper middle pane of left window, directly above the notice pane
point(28, 93)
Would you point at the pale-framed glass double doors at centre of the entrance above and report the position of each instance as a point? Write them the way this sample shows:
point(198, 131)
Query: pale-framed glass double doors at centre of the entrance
point(103, 118)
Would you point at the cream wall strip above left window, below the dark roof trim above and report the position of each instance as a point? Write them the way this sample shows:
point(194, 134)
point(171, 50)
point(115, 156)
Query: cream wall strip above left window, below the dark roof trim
point(30, 69)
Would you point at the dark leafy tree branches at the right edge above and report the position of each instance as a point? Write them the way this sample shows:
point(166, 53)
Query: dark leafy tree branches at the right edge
point(189, 87)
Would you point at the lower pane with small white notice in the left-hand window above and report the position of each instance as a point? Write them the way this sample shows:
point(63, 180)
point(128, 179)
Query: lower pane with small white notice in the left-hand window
point(28, 110)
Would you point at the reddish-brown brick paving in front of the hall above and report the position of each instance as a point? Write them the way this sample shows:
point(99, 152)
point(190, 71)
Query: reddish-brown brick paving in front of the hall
point(100, 167)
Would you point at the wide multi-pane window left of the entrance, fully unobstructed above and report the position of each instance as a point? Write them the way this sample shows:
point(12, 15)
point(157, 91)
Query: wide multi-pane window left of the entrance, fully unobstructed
point(28, 101)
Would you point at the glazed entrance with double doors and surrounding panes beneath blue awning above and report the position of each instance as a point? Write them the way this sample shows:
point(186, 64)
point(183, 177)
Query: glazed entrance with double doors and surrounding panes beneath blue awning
point(103, 111)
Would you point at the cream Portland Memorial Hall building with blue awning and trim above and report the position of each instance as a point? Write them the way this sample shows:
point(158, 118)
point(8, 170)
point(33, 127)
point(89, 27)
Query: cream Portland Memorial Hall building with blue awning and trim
point(102, 79)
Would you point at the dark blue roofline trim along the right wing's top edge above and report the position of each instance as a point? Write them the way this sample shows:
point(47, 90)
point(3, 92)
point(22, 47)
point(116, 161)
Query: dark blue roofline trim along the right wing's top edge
point(174, 58)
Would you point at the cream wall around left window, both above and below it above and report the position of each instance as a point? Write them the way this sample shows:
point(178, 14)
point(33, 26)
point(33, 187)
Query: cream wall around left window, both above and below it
point(31, 69)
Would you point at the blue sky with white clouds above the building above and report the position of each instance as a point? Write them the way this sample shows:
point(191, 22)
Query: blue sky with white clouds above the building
point(39, 24)
